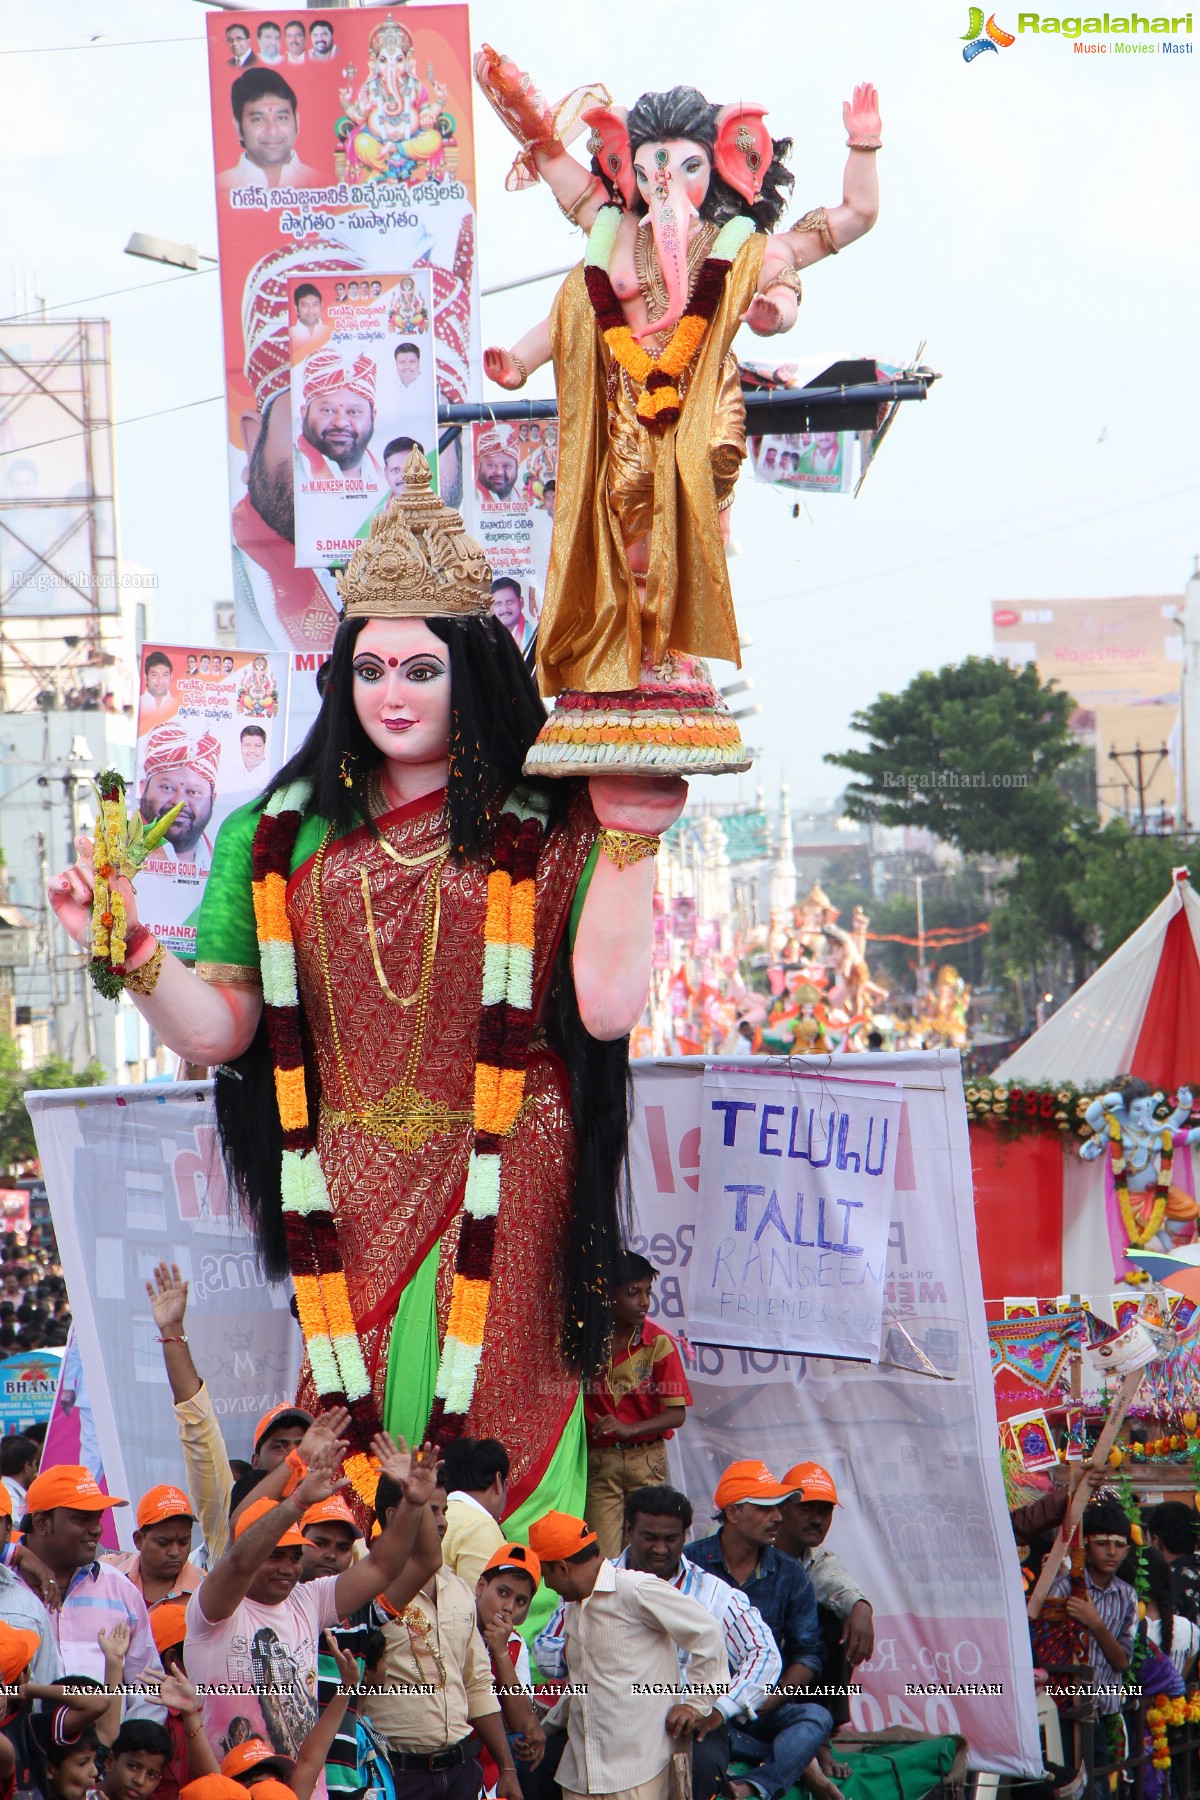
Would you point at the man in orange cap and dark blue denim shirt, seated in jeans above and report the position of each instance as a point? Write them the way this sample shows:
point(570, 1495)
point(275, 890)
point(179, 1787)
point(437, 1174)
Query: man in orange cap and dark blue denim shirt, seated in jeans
point(789, 1729)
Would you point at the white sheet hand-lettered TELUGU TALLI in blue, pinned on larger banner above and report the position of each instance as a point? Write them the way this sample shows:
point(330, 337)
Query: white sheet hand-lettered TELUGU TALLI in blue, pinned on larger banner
point(796, 1185)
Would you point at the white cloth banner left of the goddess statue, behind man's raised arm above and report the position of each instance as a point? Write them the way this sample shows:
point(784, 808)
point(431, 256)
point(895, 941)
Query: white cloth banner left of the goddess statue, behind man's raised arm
point(134, 1178)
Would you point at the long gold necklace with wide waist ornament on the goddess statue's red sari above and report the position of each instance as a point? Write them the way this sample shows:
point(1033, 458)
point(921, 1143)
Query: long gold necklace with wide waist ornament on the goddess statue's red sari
point(404, 1117)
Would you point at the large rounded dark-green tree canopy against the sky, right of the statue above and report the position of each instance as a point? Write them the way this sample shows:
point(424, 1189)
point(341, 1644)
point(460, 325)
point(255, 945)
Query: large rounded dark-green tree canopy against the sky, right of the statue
point(971, 753)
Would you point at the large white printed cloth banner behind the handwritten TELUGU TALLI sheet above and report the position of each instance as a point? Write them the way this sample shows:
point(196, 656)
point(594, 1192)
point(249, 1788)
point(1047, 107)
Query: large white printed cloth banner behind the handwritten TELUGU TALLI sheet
point(922, 1527)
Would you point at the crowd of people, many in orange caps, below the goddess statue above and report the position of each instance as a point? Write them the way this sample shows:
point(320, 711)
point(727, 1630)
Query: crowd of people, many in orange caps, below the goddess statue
point(265, 1633)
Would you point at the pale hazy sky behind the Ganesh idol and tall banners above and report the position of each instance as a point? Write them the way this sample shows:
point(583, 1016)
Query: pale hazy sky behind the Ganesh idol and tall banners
point(1037, 231)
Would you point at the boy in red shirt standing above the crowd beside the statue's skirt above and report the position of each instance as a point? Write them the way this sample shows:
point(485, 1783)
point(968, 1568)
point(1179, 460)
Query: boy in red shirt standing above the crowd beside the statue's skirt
point(632, 1408)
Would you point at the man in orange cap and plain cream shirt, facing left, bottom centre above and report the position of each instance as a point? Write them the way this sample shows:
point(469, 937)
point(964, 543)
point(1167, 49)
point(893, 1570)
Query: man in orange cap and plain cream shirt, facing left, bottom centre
point(623, 1635)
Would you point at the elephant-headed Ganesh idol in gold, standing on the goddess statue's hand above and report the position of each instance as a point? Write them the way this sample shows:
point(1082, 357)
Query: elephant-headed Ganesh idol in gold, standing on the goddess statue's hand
point(683, 210)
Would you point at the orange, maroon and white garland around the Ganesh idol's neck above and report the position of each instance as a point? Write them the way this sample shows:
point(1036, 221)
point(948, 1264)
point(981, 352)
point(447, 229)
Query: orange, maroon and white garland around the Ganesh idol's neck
point(659, 400)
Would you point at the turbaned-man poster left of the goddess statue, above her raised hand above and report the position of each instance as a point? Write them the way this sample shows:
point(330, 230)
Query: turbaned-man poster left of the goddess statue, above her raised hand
point(211, 732)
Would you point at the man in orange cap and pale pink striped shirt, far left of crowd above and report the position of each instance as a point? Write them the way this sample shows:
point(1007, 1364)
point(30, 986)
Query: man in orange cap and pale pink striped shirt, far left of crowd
point(64, 1531)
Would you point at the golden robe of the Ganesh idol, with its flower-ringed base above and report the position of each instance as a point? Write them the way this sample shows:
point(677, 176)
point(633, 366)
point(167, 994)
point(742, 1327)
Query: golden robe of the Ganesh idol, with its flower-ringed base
point(638, 584)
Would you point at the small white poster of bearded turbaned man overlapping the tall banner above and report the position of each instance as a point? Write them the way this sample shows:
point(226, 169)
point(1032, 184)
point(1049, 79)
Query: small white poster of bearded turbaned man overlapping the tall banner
point(359, 406)
